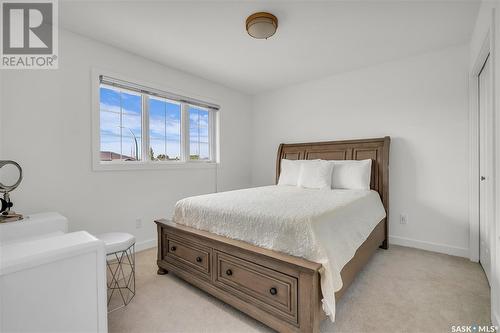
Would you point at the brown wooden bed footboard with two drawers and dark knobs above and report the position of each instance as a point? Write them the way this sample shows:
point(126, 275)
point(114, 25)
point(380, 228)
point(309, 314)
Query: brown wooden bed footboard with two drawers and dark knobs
point(278, 290)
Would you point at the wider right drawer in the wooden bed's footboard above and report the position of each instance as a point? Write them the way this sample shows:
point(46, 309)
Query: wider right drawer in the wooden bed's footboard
point(270, 290)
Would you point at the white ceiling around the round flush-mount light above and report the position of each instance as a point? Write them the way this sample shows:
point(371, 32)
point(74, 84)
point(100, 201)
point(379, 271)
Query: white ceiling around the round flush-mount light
point(314, 39)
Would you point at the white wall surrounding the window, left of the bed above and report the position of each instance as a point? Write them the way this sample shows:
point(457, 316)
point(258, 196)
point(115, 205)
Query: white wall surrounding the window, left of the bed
point(47, 129)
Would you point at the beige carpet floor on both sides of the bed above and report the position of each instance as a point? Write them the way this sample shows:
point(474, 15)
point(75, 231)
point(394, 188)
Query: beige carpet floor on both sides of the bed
point(400, 290)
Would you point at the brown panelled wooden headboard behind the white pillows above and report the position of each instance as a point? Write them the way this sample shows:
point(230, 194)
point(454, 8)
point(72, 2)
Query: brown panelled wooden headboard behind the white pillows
point(376, 149)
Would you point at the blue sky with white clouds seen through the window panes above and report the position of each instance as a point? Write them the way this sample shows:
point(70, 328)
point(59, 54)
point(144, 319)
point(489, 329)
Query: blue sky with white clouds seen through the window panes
point(164, 123)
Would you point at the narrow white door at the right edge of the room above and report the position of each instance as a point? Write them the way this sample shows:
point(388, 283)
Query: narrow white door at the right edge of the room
point(484, 160)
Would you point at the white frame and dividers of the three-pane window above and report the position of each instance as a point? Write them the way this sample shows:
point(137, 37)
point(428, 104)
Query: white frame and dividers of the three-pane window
point(146, 163)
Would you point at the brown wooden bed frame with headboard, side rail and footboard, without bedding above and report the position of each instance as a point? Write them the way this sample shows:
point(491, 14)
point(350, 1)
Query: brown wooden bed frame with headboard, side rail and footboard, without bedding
point(277, 289)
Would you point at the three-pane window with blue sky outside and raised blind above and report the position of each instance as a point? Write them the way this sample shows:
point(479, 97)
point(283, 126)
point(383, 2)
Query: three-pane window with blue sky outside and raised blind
point(140, 125)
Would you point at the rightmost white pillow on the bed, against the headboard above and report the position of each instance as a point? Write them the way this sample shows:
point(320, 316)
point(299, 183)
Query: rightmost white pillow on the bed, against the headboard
point(351, 174)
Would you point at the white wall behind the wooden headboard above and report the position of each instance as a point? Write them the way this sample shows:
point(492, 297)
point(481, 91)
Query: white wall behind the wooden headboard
point(422, 103)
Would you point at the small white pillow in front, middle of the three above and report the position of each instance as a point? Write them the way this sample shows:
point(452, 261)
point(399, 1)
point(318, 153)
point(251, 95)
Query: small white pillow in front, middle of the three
point(317, 174)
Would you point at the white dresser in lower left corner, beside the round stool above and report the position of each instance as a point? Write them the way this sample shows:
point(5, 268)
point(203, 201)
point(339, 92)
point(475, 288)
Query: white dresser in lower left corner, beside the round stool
point(51, 280)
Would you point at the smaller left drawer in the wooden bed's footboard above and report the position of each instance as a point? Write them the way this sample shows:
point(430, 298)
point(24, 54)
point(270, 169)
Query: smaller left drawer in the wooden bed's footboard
point(188, 255)
